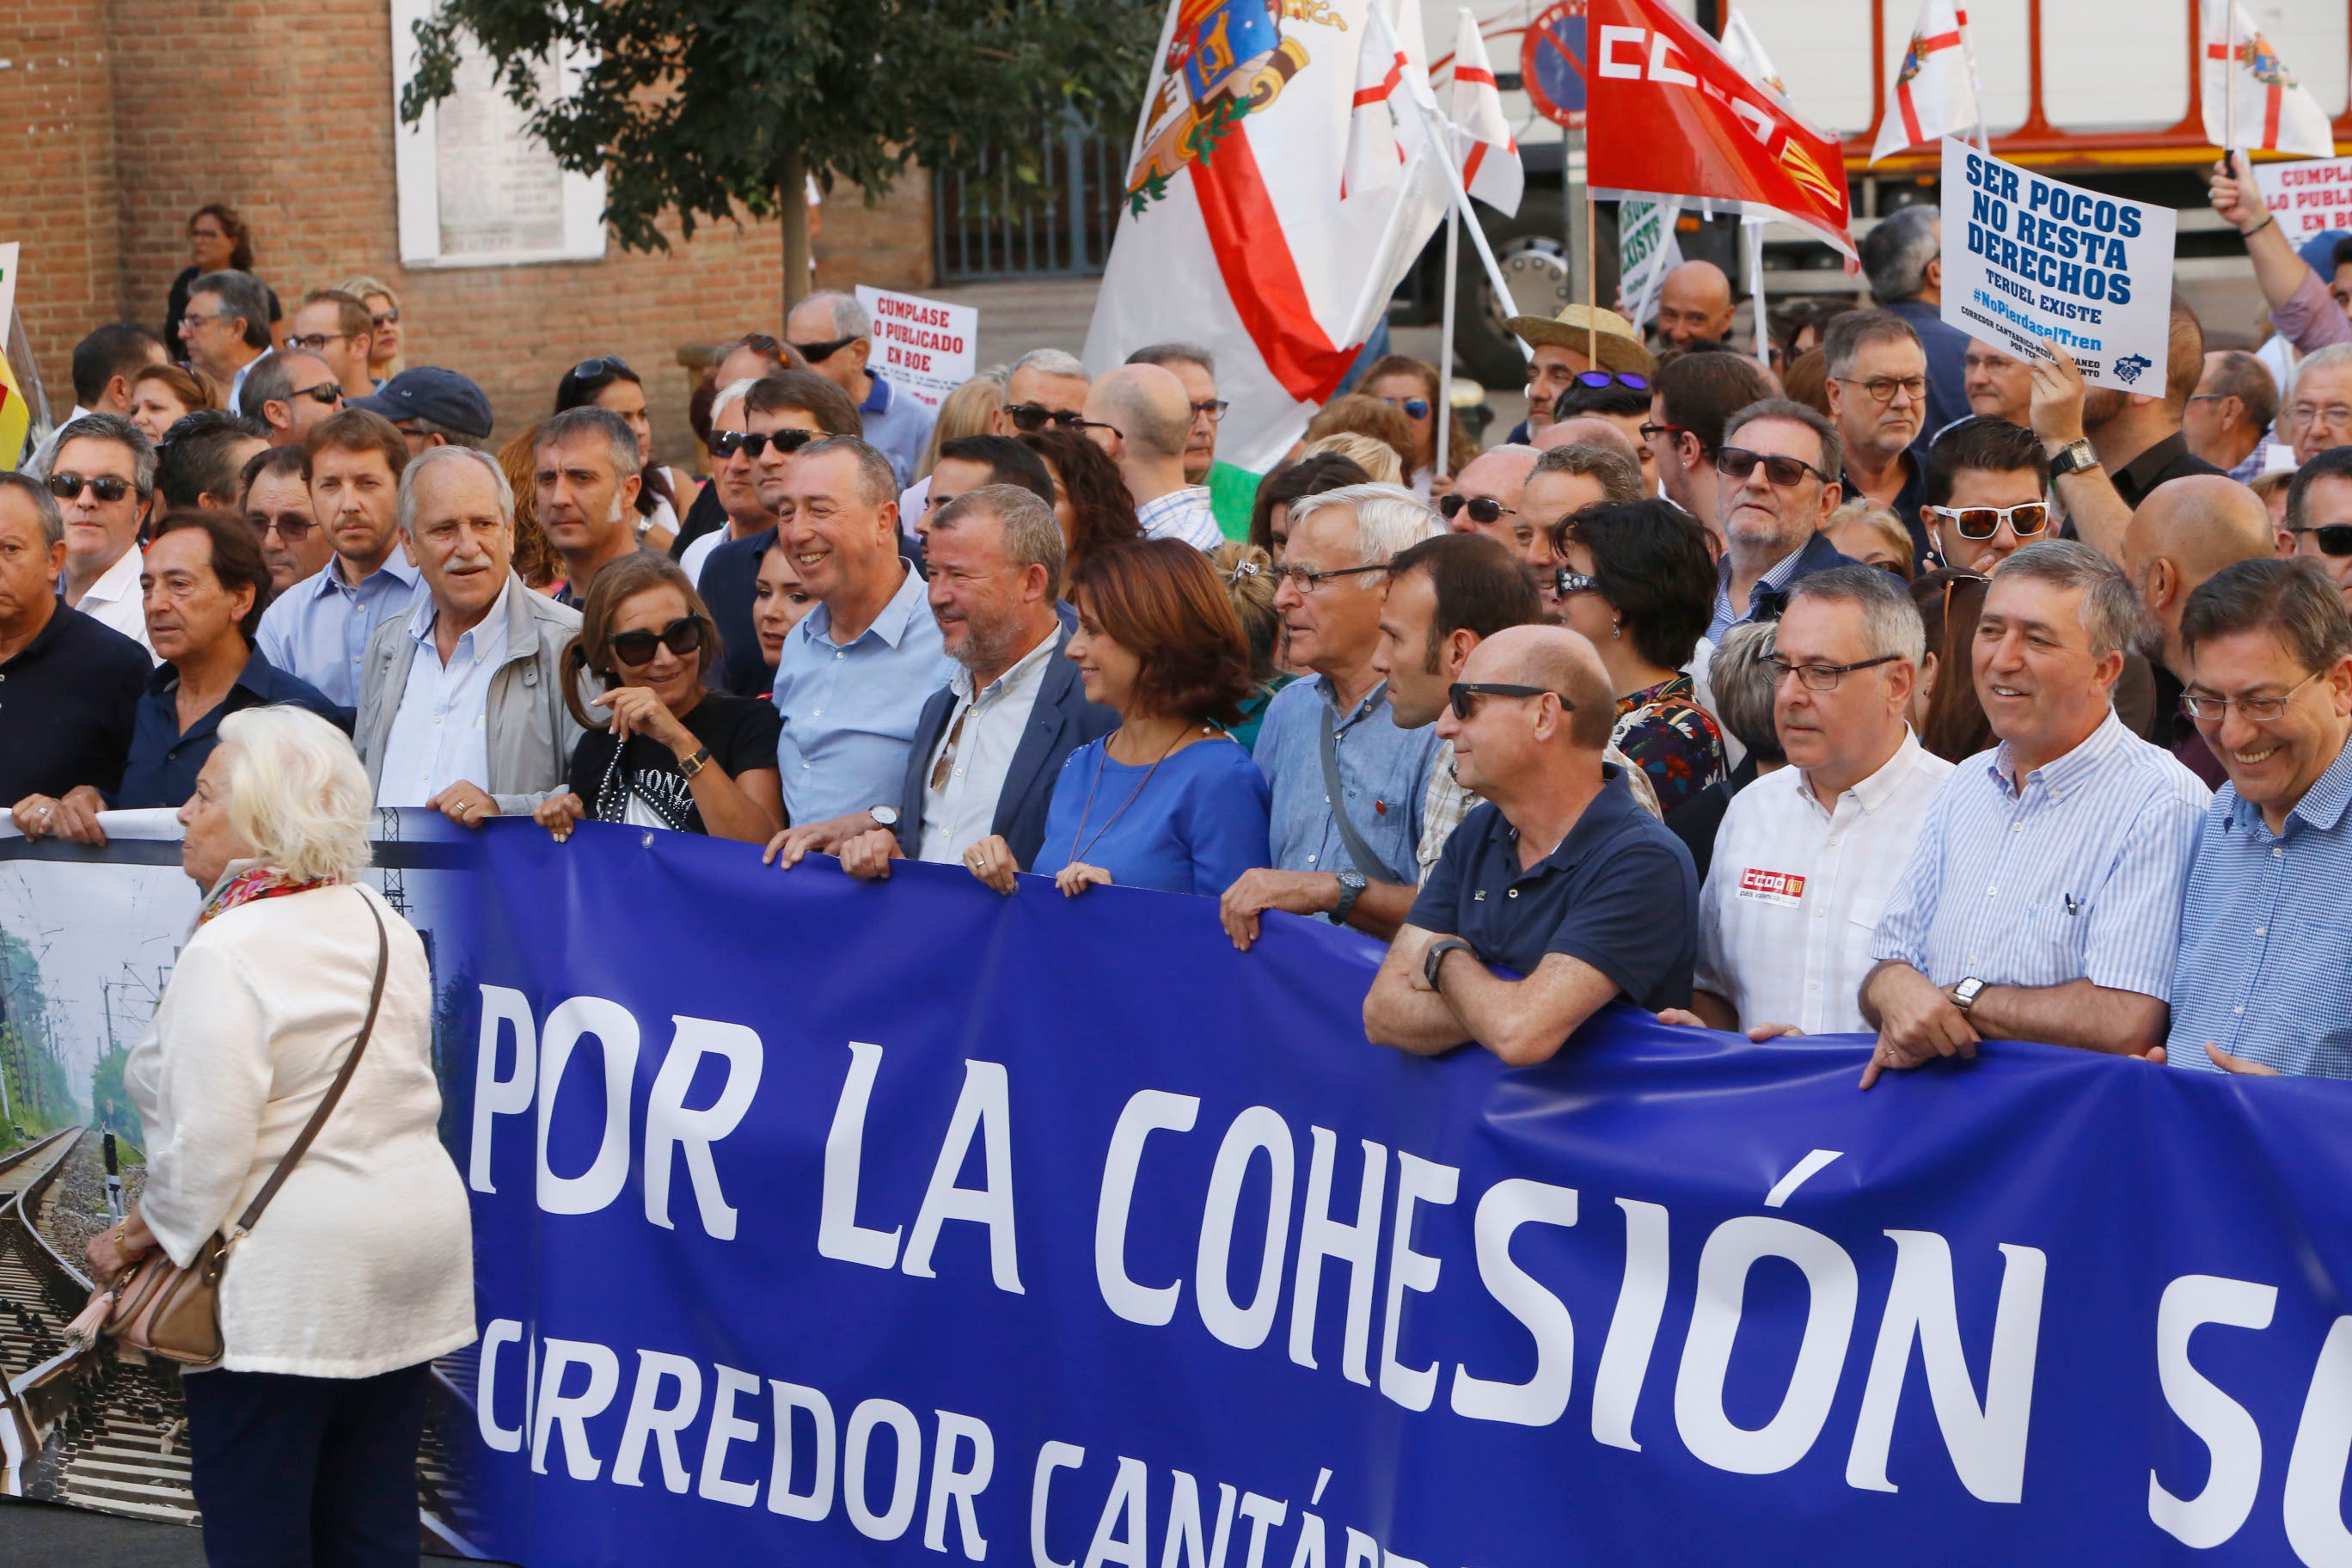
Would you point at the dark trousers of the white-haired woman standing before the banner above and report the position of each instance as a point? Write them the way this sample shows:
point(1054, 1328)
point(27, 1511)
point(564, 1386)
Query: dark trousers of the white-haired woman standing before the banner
point(307, 1473)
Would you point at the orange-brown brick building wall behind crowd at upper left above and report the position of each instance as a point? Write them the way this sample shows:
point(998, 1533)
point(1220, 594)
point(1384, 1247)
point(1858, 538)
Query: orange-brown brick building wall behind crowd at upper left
point(123, 116)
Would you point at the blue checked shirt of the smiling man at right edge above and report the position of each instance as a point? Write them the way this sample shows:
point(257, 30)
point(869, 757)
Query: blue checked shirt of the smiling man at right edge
point(2266, 934)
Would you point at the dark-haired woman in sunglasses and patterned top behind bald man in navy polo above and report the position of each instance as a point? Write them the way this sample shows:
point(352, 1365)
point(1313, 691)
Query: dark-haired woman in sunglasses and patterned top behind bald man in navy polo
point(1638, 584)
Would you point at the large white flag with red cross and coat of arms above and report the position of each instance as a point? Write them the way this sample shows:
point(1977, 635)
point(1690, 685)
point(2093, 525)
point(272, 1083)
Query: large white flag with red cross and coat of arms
point(1238, 234)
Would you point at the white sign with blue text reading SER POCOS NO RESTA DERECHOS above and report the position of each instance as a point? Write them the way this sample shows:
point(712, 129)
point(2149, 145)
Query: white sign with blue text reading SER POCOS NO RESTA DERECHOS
point(2031, 260)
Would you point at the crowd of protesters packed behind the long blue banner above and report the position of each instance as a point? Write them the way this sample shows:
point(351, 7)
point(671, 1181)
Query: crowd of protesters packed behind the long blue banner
point(1892, 685)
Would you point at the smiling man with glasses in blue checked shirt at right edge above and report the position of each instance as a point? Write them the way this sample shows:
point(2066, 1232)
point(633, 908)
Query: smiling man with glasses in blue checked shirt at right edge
point(2266, 934)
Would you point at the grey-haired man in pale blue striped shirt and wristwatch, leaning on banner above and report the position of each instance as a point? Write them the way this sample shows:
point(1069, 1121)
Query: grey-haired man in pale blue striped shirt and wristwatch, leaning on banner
point(2043, 899)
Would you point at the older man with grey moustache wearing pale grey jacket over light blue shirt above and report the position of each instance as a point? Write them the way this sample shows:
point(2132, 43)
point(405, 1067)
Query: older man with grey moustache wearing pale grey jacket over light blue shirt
point(462, 699)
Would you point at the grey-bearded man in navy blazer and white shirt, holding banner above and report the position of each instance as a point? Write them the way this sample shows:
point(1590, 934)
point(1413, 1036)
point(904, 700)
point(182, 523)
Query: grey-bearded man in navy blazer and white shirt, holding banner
point(991, 744)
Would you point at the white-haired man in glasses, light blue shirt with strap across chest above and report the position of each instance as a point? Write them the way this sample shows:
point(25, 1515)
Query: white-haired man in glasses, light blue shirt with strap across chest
point(1332, 584)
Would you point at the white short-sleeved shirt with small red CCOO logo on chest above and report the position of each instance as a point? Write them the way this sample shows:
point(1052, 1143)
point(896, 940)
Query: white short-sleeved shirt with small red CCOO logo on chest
point(1793, 894)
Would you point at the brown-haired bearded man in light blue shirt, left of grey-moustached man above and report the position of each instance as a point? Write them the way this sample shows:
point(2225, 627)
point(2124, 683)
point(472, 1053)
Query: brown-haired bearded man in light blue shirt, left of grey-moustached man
point(319, 629)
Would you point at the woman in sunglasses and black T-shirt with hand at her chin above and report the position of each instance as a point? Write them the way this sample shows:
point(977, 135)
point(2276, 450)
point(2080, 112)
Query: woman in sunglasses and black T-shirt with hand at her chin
point(674, 753)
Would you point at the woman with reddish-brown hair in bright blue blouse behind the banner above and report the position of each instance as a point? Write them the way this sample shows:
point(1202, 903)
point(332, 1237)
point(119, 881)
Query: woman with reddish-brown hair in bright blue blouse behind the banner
point(1168, 800)
